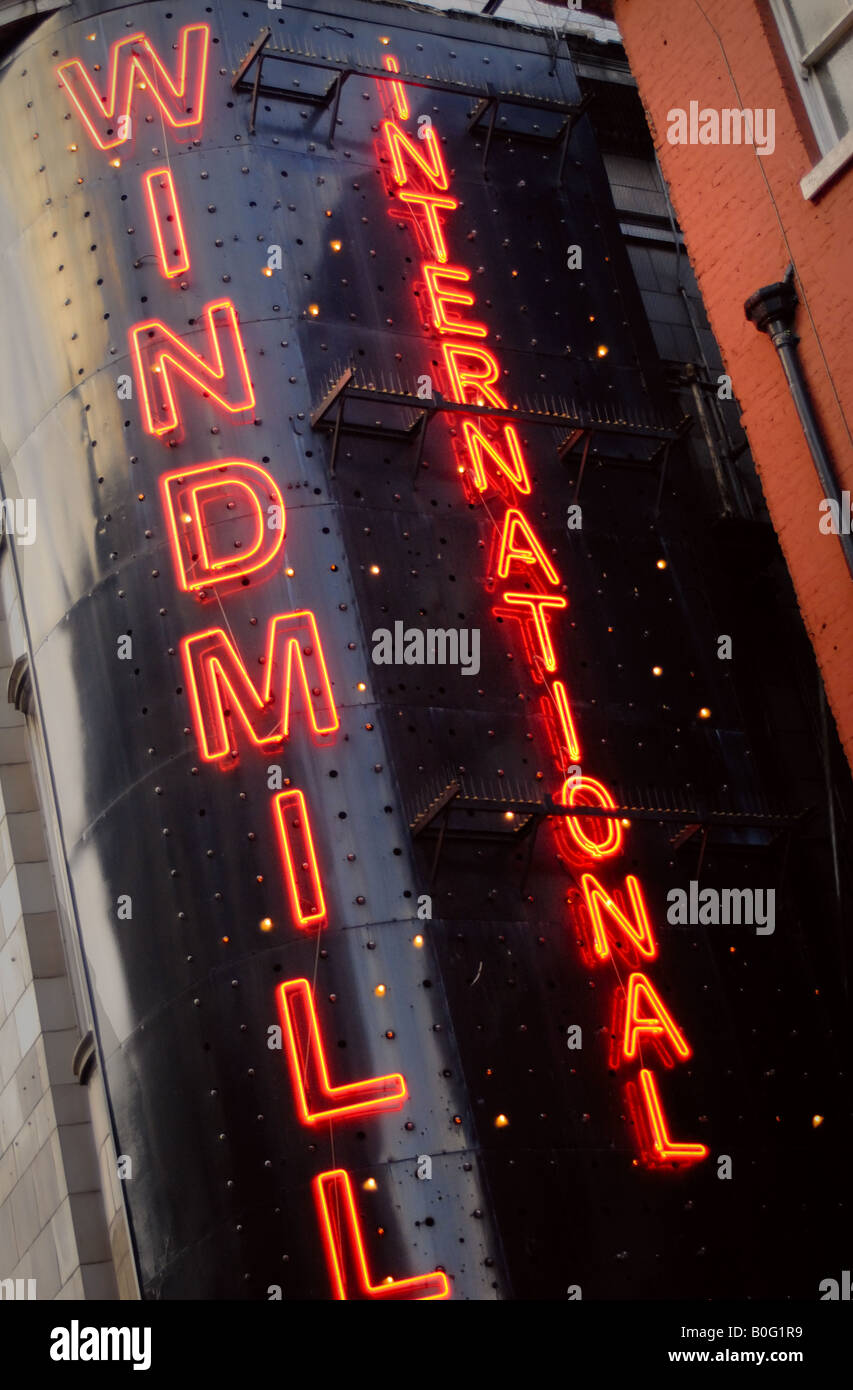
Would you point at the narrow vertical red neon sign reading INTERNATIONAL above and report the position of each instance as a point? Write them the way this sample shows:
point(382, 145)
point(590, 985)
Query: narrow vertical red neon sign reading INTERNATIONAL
point(473, 375)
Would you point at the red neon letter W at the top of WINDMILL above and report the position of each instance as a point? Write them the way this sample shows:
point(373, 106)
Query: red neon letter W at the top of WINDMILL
point(134, 63)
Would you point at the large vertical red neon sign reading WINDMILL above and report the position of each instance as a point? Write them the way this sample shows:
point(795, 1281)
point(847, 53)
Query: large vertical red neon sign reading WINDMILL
point(223, 696)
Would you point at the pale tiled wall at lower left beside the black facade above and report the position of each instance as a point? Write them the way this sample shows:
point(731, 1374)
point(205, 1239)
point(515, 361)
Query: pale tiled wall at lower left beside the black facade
point(62, 1216)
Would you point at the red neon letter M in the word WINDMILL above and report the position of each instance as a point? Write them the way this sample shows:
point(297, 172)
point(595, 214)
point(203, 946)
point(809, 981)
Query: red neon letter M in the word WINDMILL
point(224, 694)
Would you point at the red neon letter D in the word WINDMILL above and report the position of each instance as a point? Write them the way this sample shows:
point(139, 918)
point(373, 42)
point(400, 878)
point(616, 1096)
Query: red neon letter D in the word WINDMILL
point(213, 502)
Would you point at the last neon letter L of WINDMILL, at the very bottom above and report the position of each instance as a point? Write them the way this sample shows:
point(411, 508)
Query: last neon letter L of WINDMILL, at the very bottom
point(345, 1249)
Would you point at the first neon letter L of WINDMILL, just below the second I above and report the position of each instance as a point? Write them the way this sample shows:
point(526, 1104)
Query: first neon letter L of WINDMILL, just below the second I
point(316, 1097)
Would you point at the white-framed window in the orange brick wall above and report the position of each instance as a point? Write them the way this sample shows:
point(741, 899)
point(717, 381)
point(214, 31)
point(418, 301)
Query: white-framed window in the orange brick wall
point(819, 40)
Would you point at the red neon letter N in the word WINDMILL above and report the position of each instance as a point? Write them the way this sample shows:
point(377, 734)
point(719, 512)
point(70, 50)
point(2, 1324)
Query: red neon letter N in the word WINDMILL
point(156, 351)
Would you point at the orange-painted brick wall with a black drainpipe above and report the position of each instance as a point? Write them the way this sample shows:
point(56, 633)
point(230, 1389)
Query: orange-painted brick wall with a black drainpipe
point(738, 241)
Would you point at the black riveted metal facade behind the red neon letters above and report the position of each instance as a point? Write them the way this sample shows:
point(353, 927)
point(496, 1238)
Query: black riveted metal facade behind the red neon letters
point(477, 1021)
